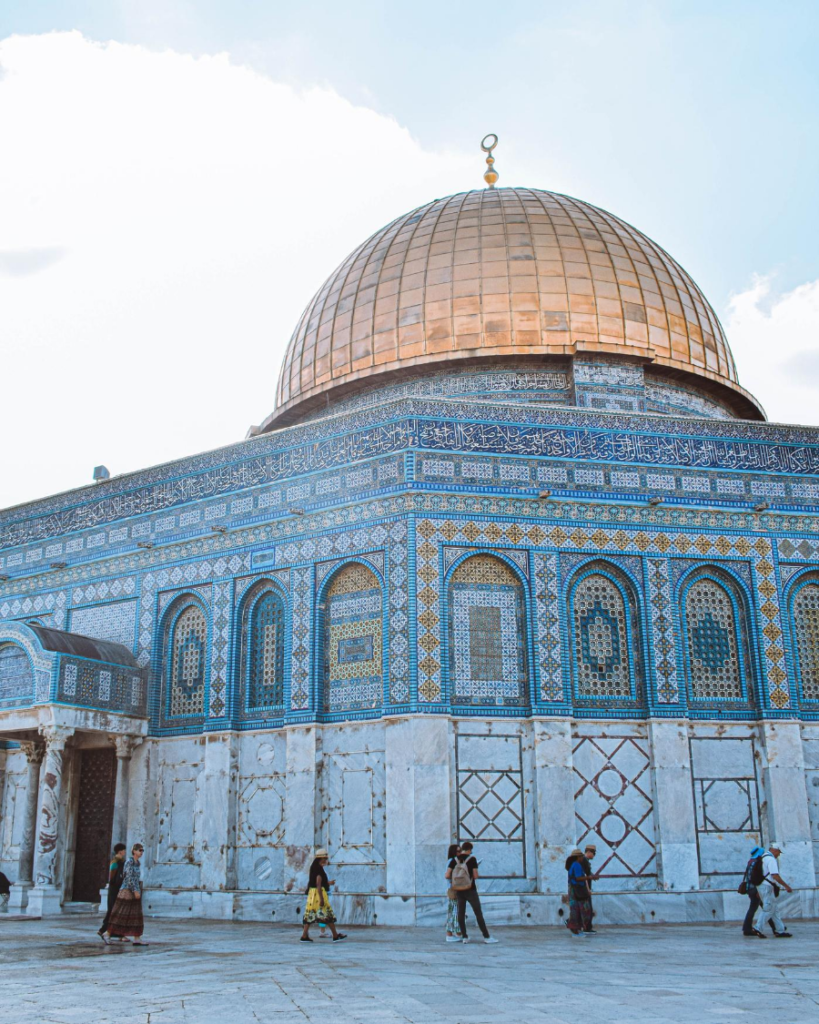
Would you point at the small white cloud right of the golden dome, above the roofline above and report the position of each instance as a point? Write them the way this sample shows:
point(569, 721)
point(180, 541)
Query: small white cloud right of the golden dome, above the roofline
point(775, 342)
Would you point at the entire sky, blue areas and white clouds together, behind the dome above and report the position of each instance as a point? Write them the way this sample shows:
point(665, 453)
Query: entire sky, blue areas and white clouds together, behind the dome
point(165, 208)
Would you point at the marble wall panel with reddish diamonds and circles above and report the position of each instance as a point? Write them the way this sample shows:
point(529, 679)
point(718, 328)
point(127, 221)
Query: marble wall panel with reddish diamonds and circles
point(614, 805)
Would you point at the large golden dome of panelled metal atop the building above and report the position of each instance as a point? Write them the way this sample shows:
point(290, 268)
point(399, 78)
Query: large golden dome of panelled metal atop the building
point(499, 274)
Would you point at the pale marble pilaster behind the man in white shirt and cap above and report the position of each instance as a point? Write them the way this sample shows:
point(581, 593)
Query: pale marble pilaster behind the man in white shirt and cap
point(787, 800)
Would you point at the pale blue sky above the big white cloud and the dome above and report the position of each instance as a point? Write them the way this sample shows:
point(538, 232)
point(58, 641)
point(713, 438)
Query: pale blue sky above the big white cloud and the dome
point(699, 122)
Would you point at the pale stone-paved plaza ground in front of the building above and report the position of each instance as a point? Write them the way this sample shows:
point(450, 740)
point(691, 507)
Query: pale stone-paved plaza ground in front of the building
point(58, 972)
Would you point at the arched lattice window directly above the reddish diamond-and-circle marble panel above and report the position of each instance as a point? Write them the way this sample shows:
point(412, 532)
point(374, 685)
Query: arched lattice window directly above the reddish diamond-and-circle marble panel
point(607, 650)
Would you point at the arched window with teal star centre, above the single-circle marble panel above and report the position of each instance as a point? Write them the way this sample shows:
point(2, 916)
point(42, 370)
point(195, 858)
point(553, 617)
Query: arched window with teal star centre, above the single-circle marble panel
point(714, 638)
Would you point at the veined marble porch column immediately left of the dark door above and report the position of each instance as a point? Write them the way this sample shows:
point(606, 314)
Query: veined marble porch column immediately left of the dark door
point(46, 898)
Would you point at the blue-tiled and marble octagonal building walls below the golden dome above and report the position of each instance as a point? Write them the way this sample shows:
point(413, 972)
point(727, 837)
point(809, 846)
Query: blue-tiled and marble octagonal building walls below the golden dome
point(532, 606)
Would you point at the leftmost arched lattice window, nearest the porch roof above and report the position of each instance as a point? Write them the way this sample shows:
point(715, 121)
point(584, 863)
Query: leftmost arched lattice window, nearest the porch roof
point(188, 659)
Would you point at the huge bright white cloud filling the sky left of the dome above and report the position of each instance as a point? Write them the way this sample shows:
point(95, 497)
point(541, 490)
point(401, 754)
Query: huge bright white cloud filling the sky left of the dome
point(164, 221)
